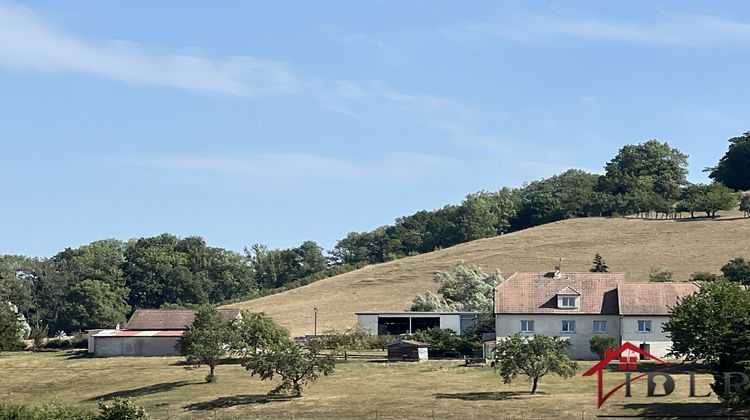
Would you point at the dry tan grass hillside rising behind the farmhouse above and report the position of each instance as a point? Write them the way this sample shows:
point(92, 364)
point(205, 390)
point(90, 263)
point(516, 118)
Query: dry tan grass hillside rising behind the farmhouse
point(632, 246)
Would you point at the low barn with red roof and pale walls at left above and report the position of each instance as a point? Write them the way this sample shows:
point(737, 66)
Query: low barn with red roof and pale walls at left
point(149, 332)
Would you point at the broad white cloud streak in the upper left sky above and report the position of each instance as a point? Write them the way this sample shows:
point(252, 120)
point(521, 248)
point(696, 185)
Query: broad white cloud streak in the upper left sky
point(27, 42)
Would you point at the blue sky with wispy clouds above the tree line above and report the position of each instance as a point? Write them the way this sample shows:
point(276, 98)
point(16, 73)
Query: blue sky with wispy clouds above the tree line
point(281, 121)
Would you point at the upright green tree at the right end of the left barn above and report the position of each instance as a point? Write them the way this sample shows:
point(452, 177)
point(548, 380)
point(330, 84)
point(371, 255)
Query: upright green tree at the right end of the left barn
point(206, 340)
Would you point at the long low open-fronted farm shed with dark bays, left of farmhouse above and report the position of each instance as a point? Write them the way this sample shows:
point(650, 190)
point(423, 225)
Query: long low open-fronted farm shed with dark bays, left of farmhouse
point(397, 323)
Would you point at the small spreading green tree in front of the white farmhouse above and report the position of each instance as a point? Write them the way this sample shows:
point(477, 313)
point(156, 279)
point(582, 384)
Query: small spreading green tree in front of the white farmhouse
point(533, 358)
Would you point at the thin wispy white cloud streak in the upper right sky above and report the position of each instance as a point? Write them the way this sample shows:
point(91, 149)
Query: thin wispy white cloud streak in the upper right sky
point(670, 29)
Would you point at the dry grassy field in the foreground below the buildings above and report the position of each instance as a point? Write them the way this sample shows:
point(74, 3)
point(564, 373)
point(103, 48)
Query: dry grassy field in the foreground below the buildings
point(362, 388)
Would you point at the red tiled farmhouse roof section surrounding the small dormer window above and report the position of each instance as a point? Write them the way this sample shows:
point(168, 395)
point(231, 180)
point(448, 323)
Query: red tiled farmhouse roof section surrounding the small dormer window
point(528, 293)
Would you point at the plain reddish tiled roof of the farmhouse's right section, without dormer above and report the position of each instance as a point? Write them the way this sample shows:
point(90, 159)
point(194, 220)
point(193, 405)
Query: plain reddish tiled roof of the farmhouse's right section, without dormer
point(652, 298)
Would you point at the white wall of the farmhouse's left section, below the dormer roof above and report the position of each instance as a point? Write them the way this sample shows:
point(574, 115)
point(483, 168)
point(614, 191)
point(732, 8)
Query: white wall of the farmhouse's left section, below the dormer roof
point(551, 325)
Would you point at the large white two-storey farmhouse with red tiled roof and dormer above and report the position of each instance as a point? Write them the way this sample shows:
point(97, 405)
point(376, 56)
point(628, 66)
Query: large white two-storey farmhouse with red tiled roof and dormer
point(578, 306)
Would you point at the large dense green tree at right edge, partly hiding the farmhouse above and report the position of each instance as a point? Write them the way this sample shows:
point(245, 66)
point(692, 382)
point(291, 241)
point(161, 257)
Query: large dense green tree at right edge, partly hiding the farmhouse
point(712, 327)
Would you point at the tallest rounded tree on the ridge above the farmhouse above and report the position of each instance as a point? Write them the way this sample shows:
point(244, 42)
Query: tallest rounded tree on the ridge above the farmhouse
point(665, 166)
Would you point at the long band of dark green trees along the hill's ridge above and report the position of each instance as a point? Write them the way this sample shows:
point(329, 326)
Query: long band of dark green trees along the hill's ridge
point(98, 284)
